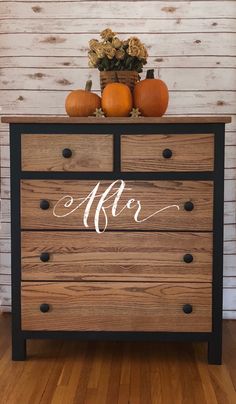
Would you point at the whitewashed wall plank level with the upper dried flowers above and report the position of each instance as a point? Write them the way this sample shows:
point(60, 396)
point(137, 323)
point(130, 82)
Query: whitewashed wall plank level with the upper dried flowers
point(64, 44)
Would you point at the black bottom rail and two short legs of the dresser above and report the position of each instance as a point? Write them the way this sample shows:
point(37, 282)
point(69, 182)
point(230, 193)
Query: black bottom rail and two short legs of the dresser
point(19, 348)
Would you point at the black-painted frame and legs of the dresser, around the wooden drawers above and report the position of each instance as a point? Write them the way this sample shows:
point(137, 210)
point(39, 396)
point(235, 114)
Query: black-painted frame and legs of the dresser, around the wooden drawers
point(213, 338)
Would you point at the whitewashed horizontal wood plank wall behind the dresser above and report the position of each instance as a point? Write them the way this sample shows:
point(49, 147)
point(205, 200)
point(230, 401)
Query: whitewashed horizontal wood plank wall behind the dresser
point(192, 46)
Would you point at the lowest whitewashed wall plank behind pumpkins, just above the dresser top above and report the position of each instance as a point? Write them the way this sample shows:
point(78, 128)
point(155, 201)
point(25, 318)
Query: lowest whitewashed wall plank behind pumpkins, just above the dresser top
point(180, 102)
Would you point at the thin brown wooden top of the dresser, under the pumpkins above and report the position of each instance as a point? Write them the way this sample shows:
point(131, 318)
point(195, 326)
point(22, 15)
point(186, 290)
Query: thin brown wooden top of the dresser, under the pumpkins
point(93, 120)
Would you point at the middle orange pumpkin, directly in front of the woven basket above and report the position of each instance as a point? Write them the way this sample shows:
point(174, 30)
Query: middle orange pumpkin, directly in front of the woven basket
point(117, 100)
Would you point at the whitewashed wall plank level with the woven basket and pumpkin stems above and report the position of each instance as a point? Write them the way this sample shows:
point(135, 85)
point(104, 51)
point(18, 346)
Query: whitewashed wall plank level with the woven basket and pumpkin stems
point(178, 79)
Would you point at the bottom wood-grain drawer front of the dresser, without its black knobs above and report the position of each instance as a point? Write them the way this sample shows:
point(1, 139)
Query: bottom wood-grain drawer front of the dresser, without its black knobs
point(118, 306)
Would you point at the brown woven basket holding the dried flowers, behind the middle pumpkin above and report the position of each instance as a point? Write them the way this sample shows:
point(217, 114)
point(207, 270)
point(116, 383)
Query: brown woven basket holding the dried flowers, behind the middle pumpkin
point(128, 77)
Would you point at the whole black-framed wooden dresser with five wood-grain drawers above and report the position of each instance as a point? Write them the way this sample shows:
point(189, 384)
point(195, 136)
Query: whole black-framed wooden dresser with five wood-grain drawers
point(156, 187)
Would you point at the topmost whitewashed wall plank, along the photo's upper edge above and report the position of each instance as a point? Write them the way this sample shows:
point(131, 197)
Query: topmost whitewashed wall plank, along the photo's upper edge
point(117, 9)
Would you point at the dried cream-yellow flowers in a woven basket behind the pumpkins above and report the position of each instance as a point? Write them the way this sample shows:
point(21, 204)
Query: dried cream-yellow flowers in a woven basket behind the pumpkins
point(116, 59)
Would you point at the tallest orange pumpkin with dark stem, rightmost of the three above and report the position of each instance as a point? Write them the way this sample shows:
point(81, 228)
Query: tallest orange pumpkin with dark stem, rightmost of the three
point(151, 96)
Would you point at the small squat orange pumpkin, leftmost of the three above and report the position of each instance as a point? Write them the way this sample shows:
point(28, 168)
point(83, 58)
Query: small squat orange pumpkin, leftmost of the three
point(82, 102)
